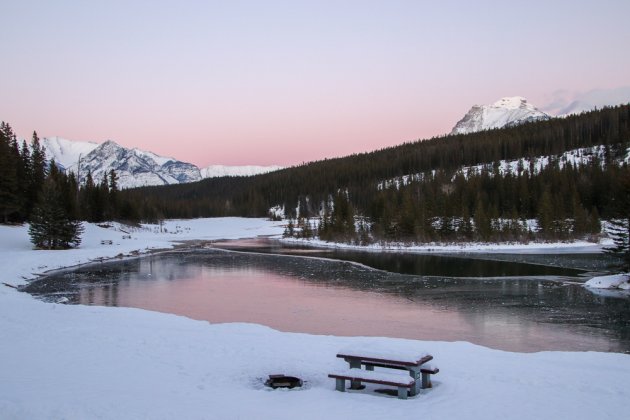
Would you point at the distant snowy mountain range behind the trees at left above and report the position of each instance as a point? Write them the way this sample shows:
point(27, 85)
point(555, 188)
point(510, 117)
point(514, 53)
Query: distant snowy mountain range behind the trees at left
point(134, 167)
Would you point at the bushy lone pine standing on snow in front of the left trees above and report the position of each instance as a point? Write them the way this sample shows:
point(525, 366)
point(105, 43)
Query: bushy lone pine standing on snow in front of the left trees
point(50, 227)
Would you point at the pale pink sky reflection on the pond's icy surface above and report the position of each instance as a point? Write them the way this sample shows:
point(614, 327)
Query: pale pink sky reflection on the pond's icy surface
point(290, 304)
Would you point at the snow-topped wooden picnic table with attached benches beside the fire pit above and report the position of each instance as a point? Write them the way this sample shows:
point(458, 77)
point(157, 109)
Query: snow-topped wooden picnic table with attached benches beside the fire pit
point(413, 362)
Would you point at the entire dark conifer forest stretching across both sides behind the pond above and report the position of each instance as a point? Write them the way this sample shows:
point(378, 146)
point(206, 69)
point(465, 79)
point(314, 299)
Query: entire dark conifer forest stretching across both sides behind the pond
point(485, 186)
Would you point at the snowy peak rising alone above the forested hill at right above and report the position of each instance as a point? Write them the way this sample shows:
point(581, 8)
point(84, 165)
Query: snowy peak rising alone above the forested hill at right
point(505, 112)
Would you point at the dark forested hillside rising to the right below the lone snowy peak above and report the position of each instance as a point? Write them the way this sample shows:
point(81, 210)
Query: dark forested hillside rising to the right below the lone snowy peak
point(434, 205)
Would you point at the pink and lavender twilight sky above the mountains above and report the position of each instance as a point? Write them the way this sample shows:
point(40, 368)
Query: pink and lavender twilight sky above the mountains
point(285, 82)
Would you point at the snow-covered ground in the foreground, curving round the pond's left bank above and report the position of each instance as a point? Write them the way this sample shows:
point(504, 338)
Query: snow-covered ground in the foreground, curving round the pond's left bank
point(83, 362)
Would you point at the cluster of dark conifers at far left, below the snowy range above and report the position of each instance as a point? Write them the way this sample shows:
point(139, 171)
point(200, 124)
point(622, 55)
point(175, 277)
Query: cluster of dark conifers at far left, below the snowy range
point(35, 190)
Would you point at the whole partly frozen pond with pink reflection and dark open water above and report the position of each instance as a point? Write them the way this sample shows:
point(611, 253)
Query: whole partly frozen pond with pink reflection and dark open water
point(528, 305)
